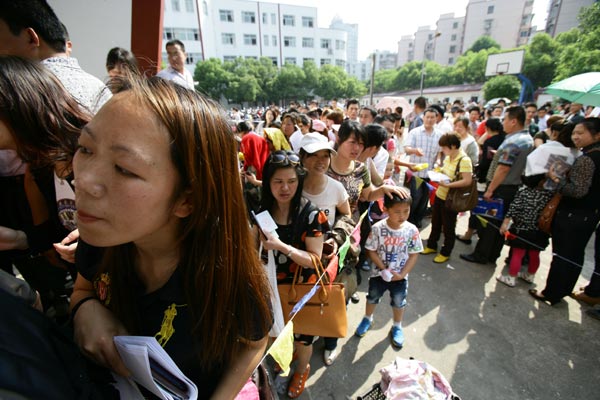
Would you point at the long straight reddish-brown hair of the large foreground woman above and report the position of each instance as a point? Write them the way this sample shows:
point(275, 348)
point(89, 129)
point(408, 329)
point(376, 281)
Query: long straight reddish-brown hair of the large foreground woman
point(224, 282)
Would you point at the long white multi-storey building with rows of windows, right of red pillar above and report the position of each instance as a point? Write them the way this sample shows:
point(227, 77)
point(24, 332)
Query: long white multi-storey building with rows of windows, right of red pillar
point(228, 29)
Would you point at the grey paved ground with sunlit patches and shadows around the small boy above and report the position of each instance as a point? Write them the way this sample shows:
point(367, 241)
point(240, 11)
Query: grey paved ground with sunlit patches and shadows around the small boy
point(490, 341)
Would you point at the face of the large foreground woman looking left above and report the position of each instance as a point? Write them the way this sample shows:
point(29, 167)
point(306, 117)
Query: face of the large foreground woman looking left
point(125, 179)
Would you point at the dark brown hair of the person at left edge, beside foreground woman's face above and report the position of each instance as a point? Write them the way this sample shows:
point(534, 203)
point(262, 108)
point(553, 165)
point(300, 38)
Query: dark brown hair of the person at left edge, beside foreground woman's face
point(45, 120)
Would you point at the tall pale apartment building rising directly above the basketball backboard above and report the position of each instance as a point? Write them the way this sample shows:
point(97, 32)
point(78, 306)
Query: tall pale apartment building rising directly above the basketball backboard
point(508, 22)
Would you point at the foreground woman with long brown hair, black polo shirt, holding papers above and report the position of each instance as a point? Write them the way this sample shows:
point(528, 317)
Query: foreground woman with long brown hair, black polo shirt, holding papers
point(159, 197)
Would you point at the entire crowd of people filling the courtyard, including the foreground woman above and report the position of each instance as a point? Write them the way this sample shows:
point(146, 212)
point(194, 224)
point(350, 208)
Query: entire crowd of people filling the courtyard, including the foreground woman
point(112, 190)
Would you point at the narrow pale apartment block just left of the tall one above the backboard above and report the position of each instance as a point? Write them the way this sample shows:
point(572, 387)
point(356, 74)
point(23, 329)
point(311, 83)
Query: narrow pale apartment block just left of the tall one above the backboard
point(448, 44)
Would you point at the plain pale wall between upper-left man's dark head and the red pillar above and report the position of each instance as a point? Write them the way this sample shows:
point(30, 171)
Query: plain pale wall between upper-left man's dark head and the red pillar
point(95, 26)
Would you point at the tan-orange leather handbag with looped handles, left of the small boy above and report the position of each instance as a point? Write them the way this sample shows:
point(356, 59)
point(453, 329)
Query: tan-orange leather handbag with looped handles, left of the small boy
point(324, 314)
